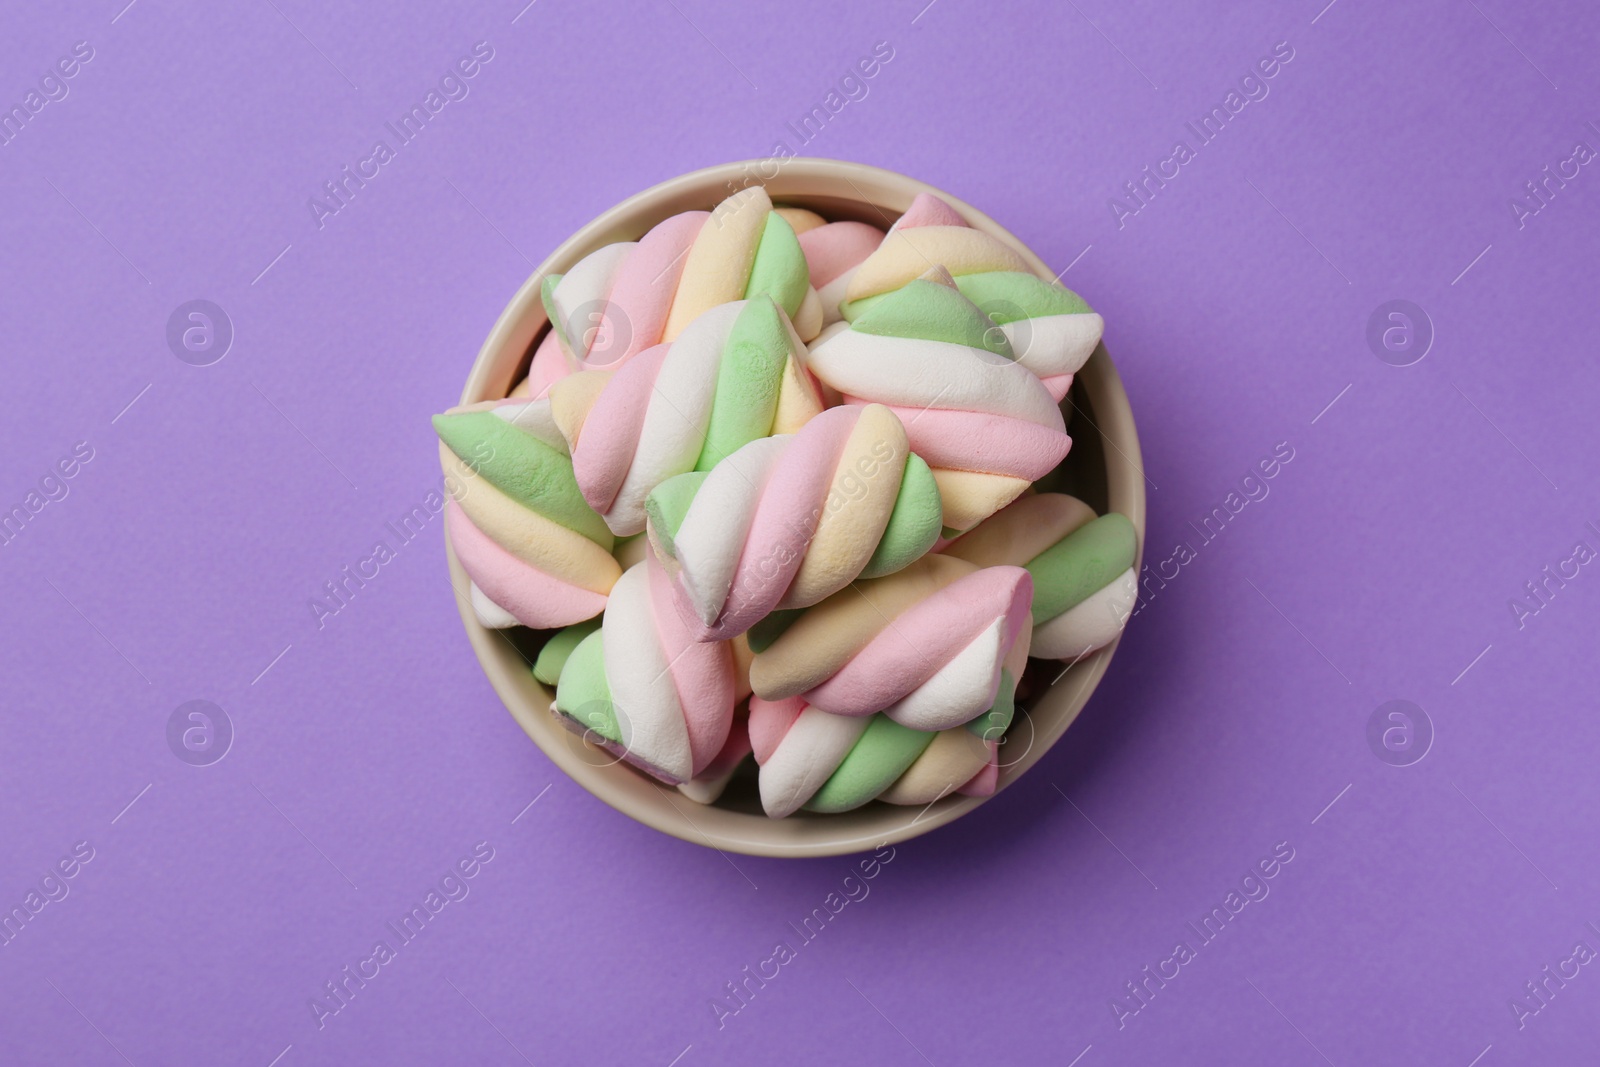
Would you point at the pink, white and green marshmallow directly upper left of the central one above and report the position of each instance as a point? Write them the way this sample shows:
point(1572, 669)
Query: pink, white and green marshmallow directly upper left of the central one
point(735, 375)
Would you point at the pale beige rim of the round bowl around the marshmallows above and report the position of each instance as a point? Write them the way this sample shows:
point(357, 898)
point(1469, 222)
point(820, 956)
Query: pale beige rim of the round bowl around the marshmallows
point(662, 807)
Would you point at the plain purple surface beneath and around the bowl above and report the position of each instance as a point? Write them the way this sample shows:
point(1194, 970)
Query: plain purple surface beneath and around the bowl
point(370, 754)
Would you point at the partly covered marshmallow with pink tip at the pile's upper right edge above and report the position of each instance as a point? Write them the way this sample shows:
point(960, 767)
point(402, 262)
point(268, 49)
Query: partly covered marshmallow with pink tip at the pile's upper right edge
point(1050, 329)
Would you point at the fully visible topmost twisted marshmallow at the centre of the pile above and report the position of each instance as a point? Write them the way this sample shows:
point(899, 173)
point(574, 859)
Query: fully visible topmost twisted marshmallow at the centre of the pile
point(790, 521)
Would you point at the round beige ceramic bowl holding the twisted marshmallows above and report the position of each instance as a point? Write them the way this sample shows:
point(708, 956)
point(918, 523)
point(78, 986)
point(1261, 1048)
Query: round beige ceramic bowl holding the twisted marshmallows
point(1105, 470)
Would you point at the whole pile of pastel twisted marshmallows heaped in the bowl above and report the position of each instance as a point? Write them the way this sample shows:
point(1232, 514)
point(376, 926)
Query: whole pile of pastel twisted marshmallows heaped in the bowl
point(772, 481)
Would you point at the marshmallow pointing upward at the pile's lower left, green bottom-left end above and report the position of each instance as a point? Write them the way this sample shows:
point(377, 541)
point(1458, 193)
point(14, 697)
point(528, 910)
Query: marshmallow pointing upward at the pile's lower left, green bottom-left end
point(646, 689)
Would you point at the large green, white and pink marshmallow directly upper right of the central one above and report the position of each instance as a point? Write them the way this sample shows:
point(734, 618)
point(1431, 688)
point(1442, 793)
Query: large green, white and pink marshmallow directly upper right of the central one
point(982, 420)
